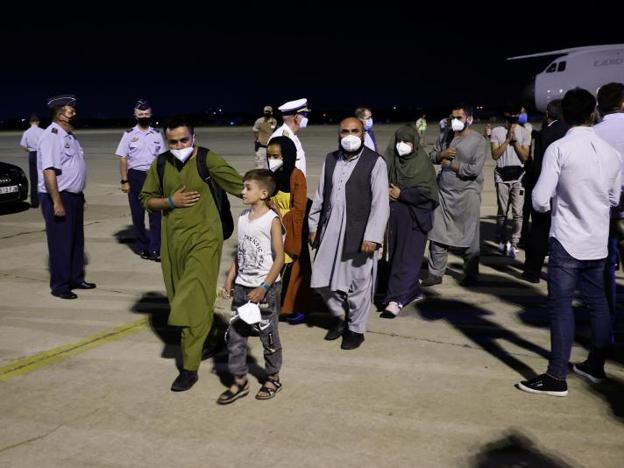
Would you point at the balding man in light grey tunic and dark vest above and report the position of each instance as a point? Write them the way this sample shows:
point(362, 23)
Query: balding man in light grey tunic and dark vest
point(347, 222)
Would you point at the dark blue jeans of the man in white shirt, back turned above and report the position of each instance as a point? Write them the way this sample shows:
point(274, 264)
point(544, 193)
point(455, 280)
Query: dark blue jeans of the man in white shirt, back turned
point(565, 273)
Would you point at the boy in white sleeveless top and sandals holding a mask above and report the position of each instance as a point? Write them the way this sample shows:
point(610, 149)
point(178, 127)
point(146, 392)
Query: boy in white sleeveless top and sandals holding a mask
point(255, 275)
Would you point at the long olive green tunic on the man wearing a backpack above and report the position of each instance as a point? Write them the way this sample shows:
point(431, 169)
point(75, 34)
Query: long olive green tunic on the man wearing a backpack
point(191, 238)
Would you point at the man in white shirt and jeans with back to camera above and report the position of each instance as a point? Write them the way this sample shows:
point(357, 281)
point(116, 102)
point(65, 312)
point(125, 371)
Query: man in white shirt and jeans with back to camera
point(581, 178)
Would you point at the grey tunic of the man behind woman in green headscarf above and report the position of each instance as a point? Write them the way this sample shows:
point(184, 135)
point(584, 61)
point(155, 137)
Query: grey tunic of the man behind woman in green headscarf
point(455, 220)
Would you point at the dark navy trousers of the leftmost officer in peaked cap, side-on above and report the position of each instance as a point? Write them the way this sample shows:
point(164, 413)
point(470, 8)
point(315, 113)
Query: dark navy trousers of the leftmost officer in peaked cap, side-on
point(65, 241)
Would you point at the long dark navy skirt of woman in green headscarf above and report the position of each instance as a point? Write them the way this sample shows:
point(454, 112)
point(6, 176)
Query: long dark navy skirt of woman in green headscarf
point(407, 247)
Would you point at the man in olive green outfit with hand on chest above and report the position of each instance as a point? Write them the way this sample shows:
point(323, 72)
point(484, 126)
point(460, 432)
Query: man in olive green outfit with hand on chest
point(191, 239)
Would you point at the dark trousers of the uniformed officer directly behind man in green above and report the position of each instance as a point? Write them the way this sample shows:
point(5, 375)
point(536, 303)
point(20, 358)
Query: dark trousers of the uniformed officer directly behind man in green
point(143, 243)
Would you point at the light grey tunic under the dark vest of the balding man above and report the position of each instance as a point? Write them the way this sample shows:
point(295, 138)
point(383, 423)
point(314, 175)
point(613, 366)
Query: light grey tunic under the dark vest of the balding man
point(328, 269)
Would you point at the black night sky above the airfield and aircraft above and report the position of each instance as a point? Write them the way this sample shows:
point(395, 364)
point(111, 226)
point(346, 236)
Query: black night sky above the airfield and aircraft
point(230, 55)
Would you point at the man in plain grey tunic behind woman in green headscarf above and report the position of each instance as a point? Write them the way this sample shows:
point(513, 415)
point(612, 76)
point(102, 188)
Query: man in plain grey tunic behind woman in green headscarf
point(461, 153)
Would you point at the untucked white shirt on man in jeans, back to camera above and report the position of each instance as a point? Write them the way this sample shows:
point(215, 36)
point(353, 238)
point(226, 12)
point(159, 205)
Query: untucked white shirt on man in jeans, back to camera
point(582, 175)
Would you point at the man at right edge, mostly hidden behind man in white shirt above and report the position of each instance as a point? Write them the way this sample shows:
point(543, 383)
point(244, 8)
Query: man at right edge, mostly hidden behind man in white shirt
point(611, 129)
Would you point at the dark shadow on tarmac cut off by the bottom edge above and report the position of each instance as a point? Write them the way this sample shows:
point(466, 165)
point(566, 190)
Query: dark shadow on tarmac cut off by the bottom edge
point(515, 449)
